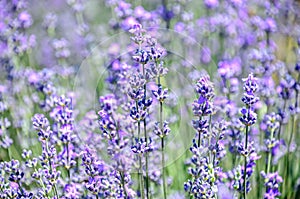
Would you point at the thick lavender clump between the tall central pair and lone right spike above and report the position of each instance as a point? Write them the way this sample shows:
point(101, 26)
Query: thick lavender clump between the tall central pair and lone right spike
point(210, 148)
